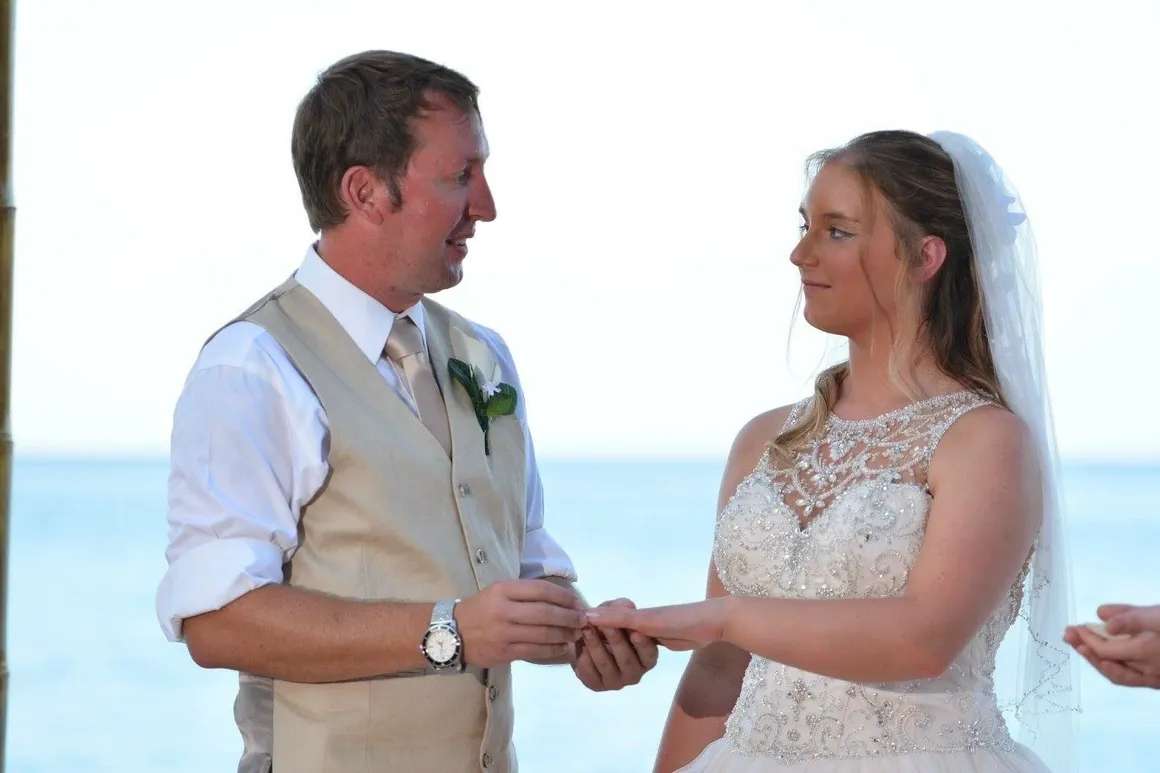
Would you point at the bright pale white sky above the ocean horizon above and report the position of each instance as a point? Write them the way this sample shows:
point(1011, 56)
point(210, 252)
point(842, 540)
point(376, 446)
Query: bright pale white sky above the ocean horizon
point(648, 167)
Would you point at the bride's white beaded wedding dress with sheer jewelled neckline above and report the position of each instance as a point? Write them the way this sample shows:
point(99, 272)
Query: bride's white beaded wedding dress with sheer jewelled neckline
point(847, 522)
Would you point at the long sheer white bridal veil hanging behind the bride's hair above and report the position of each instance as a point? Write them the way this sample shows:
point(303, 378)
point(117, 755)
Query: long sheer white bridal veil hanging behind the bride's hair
point(1047, 697)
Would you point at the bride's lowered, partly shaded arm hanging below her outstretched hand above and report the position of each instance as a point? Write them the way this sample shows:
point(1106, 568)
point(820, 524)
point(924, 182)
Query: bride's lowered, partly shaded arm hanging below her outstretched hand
point(705, 698)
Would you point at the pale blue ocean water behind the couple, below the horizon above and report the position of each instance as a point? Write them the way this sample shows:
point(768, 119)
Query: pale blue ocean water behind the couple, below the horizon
point(96, 688)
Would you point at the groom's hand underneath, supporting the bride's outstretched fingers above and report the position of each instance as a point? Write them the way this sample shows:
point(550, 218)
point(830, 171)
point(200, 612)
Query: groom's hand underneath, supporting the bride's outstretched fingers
point(613, 659)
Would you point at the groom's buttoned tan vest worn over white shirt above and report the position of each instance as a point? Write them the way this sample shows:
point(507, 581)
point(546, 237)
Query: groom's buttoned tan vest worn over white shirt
point(396, 519)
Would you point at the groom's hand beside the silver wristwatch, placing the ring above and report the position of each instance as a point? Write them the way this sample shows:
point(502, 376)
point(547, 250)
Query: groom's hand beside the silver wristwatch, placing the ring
point(519, 620)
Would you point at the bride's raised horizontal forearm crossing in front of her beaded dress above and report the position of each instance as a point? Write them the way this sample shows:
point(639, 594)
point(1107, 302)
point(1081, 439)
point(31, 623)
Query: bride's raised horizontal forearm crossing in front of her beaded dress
point(858, 640)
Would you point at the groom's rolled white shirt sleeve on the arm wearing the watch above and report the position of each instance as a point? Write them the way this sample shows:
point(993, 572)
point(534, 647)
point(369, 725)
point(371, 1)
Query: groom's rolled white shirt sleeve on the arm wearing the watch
point(244, 460)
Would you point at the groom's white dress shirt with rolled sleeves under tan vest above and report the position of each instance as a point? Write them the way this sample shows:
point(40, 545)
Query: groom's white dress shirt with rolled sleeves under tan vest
point(249, 450)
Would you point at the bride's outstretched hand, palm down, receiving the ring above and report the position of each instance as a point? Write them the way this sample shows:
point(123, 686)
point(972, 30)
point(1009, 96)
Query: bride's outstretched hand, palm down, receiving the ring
point(681, 627)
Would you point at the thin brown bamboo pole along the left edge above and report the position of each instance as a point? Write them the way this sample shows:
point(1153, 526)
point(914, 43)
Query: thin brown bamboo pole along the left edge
point(8, 256)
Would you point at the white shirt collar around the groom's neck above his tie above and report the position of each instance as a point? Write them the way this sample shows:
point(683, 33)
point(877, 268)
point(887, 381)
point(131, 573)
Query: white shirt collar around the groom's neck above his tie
point(365, 320)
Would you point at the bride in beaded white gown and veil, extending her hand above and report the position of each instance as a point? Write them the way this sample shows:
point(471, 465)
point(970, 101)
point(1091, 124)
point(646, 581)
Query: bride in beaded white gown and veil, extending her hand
point(878, 541)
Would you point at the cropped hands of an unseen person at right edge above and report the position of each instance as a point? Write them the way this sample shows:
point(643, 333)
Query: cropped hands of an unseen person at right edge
point(1133, 659)
